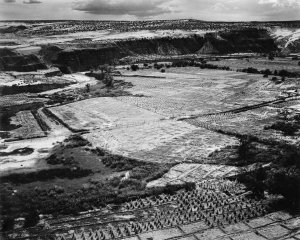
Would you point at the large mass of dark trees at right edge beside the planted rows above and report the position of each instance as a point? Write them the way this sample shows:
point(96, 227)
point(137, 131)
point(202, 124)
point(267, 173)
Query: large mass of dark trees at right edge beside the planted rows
point(277, 170)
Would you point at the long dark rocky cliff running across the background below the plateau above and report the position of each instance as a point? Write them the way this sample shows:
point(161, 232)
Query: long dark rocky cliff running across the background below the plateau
point(245, 40)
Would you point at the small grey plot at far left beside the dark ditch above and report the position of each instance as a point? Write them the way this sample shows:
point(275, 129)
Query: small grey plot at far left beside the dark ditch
point(29, 128)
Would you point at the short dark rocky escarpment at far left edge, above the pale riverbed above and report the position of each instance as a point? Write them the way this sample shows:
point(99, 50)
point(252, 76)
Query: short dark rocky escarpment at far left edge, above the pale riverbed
point(12, 61)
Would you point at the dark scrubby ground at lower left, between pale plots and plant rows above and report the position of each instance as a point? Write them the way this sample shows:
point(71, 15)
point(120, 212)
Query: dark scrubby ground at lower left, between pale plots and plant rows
point(83, 178)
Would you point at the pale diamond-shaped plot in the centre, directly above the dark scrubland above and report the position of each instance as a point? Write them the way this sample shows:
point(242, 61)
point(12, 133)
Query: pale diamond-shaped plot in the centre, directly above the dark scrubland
point(165, 141)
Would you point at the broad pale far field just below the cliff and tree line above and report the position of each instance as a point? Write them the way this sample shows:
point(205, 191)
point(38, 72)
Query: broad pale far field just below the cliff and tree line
point(189, 91)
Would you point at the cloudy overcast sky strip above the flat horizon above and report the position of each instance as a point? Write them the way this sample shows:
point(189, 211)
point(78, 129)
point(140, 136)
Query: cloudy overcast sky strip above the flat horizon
point(211, 10)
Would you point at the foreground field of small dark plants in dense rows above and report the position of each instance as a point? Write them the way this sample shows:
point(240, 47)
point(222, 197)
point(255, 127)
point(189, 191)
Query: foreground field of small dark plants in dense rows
point(211, 206)
